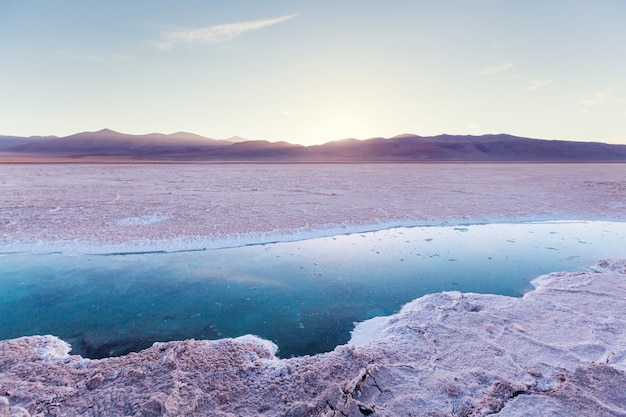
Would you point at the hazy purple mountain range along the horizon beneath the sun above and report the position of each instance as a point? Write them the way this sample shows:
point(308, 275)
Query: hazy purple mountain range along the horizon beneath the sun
point(184, 146)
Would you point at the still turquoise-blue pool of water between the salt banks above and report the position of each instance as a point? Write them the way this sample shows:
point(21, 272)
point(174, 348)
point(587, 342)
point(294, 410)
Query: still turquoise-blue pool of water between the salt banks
point(305, 296)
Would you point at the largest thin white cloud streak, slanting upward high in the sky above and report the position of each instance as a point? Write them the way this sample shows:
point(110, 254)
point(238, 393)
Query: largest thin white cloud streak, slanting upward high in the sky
point(216, 34)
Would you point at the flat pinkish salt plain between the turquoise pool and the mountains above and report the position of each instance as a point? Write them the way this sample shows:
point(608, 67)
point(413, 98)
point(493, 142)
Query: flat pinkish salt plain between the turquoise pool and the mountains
point(184, 206)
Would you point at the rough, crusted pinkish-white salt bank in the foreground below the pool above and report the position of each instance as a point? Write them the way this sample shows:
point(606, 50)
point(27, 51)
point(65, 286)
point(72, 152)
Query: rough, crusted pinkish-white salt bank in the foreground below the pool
point(558, 351)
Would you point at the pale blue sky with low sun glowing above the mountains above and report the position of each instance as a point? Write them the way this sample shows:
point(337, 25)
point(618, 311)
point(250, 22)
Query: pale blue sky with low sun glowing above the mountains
point(310, 72)
